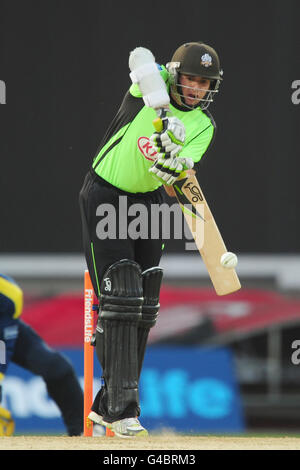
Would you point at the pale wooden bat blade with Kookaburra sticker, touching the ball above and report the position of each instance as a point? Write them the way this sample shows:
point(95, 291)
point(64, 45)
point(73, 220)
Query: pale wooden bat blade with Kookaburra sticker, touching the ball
point(206, 235)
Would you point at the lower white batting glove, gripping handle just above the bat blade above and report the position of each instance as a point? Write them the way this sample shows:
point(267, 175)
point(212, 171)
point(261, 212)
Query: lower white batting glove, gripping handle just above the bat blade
point(168, 170)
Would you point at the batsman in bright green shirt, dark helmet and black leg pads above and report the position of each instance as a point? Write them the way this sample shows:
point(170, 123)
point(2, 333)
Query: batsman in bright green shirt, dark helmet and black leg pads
point(135, 163)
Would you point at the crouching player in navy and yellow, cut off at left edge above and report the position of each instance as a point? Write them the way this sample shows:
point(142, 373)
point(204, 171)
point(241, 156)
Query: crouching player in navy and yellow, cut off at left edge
point(25, 347)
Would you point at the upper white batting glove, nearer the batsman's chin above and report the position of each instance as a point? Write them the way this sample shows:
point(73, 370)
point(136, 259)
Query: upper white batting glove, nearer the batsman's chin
point(169, 142)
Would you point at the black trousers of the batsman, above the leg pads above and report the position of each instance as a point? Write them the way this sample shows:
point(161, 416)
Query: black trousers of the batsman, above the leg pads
point(101, 202)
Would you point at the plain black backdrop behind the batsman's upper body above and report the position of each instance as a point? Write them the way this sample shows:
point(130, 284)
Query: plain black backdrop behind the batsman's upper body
point(65, 66)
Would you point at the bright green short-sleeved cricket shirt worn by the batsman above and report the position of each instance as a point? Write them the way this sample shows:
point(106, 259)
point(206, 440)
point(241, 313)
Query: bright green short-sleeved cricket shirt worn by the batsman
point(126, 165)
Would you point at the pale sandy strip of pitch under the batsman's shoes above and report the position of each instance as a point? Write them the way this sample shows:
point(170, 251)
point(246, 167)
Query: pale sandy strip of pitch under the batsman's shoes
point(166, 441)
